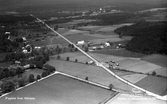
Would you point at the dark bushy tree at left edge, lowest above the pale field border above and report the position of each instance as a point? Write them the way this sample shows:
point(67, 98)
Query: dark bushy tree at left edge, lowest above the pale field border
point(7, 87)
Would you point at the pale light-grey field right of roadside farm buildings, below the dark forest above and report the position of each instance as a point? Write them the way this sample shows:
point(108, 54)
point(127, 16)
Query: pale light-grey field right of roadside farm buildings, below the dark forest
point(137, 65)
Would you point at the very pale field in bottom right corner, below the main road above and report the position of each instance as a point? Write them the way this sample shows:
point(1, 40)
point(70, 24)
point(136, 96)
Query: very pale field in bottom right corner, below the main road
point(131, 99)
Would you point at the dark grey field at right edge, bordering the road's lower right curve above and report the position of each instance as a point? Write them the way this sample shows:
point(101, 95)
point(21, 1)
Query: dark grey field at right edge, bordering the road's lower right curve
point(154, 84)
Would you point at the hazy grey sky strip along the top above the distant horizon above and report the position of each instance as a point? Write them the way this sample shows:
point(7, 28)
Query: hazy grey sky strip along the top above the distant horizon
point(24, 3)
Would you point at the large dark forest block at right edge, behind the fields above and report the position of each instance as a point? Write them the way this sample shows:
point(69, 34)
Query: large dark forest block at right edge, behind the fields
point(149, 37)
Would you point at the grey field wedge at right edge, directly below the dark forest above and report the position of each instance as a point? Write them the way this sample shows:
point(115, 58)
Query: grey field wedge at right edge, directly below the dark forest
point(156, 59)
